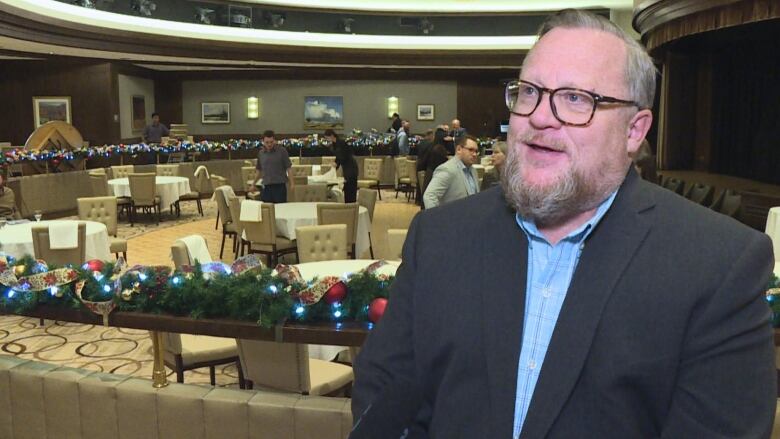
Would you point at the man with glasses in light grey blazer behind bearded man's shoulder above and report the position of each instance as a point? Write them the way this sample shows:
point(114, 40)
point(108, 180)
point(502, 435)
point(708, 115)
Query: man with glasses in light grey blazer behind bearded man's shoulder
point(456, 178)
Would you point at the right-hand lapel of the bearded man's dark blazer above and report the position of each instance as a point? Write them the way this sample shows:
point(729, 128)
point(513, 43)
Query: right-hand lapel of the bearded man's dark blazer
point(606, 254)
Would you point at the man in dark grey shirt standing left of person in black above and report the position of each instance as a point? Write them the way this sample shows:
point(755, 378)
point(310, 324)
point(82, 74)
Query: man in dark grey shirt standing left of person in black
point(274, 162)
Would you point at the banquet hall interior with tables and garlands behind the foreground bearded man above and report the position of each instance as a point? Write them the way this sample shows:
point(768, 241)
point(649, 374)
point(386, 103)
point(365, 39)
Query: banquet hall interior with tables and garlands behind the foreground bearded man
point(146, 278)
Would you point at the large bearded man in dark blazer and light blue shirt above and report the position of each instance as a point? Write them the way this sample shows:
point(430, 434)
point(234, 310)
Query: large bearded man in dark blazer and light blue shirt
point(577, 301)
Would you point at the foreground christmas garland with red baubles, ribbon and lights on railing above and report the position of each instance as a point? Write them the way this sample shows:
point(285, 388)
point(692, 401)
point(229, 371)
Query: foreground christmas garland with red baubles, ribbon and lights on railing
point(245, 290)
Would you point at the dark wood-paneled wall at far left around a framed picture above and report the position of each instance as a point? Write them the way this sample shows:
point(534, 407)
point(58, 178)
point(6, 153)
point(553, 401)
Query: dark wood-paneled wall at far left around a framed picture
point(92, 96)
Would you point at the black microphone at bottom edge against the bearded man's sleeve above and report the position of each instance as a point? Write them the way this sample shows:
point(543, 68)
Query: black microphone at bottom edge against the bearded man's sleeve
point(391, 414)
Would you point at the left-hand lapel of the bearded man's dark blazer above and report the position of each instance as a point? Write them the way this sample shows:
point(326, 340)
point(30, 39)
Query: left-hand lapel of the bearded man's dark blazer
point(504, 264)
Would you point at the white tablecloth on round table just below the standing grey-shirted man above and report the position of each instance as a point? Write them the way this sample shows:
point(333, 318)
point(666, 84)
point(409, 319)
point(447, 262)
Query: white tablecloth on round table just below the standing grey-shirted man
point(292, 215)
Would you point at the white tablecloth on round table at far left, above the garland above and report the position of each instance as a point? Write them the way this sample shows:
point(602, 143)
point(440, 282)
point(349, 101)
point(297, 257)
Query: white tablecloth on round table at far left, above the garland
point(16, 240)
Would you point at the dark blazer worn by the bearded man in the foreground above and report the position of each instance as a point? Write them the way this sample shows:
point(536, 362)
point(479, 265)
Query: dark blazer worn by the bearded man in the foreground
point(664, 332)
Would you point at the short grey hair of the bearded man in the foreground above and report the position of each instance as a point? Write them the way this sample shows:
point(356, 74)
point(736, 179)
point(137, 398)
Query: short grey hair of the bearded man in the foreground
point(640, 70)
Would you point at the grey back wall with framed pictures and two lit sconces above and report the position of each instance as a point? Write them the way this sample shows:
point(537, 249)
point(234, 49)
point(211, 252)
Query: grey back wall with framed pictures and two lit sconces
point(365, 104)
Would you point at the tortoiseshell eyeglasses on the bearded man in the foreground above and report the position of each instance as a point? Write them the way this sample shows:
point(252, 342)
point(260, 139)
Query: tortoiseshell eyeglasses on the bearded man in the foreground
point(571, 106)
